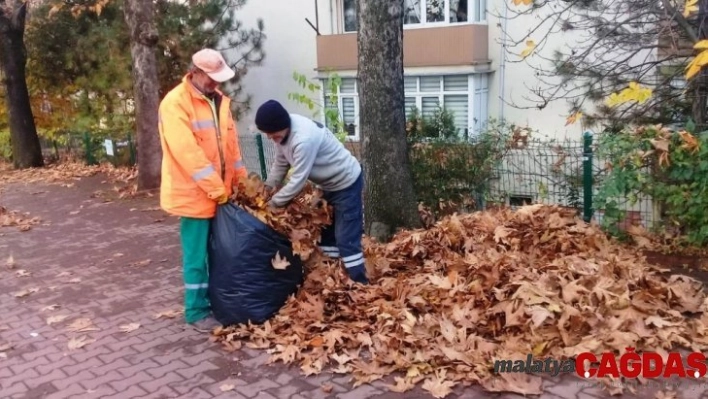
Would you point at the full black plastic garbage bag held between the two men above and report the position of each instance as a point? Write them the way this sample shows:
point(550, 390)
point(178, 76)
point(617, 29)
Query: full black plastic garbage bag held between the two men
point(243, 284)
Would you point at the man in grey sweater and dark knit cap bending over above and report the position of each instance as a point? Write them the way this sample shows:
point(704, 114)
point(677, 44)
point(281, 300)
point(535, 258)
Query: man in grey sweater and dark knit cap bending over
point(315, 154)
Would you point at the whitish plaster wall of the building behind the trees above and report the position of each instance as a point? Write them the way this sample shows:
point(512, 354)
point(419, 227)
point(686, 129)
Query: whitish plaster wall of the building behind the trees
point(291, 45)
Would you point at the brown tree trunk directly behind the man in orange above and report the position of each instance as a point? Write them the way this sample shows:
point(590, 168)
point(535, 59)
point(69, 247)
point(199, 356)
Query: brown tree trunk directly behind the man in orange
point(139, 16)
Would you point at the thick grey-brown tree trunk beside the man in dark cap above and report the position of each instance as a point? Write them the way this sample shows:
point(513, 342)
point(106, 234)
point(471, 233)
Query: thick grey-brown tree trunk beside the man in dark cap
point(389, 200)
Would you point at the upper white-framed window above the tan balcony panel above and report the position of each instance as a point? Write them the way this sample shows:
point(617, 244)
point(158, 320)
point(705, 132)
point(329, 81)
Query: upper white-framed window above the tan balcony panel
point(417, 12)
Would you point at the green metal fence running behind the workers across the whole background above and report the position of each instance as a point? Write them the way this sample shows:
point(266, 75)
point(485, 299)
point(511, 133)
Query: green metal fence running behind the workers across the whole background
point(566, 173)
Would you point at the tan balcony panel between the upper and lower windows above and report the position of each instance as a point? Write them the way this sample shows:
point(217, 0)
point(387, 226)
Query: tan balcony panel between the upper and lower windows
point(423, 47)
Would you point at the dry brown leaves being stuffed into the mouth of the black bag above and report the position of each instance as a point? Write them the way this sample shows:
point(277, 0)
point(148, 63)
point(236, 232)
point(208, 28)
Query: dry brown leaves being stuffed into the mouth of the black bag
point(301, 220)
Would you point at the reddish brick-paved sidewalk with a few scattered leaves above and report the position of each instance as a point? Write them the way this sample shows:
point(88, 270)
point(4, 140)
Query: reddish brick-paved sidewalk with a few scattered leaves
point(88, 257)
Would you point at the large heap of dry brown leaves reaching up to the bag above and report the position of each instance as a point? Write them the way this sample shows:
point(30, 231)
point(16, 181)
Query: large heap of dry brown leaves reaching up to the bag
point(447, 301)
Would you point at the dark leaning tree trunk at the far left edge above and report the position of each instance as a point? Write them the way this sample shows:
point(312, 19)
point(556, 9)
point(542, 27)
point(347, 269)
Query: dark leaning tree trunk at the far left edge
point(26, 150)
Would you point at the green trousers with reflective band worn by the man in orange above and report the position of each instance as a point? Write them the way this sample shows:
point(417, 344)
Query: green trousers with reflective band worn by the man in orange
point(194, 235)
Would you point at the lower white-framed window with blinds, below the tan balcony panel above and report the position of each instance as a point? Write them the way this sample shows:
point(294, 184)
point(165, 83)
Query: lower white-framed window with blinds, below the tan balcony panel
point(465, 96)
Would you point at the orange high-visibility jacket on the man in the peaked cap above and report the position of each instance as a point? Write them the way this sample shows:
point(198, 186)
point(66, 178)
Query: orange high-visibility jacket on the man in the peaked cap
point(201, 158)
